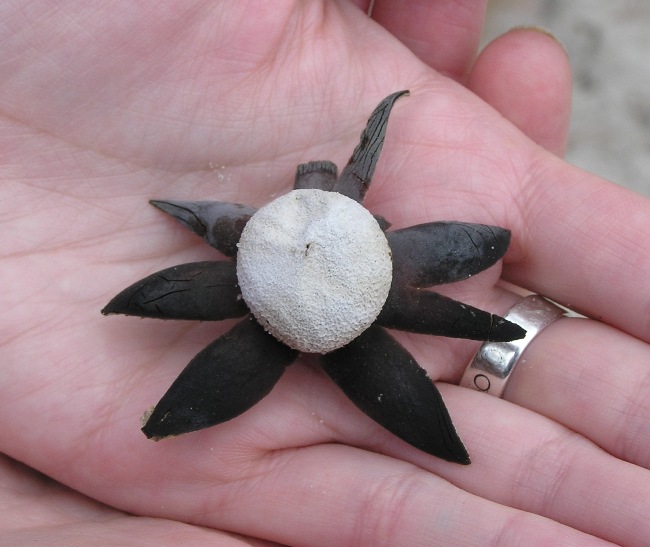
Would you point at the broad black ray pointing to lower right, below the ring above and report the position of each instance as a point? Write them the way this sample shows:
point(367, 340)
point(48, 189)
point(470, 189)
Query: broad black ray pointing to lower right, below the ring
point(386, 383)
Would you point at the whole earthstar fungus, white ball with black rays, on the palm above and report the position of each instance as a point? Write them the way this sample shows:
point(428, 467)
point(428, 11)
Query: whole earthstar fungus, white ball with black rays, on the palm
point(314, 271)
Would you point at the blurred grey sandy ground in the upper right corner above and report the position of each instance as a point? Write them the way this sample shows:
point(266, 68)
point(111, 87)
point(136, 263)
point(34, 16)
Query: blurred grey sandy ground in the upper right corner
point(609, 47)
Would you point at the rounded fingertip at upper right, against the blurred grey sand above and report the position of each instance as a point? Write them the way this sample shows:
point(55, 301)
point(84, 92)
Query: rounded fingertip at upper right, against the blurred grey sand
point(525, 75)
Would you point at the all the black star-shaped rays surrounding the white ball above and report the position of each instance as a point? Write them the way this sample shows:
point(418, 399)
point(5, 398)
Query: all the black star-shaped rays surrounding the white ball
point(238, 369)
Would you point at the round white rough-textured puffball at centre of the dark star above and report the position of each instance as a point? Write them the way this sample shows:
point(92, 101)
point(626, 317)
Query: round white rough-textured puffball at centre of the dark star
point(314, 268)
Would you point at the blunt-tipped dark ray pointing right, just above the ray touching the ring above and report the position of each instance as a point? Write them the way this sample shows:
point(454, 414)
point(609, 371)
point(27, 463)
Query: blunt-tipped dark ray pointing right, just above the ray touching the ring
point(443, 252)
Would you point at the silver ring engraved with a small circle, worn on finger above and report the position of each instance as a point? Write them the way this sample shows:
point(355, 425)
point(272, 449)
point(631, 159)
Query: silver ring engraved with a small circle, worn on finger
point(491, 367)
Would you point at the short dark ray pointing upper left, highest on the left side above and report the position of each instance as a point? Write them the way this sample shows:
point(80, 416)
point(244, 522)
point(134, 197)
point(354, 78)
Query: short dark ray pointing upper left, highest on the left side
point(218, 222)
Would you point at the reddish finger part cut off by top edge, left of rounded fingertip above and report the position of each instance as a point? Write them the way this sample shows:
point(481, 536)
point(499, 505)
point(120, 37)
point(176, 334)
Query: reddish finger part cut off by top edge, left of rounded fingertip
point(444, 34)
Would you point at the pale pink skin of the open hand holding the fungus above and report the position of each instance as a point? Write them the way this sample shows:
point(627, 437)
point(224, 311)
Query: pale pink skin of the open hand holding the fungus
point(105, 106)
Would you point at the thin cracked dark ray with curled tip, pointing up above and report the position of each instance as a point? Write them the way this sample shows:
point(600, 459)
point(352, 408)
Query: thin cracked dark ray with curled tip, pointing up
point(357, 174)
